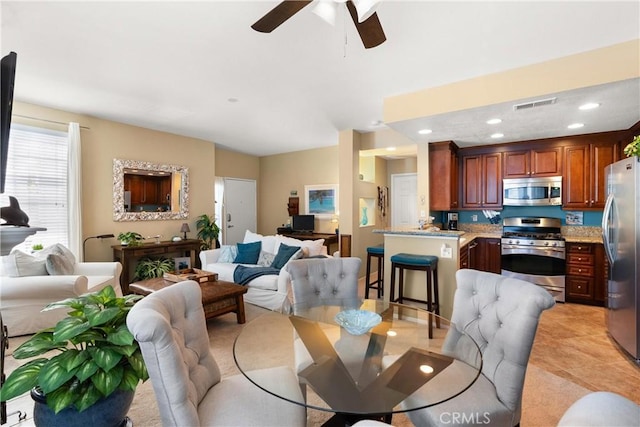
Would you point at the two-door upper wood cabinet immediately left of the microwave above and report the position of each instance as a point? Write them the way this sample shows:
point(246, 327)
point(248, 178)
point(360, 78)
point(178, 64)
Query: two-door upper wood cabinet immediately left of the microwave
point(482, 181)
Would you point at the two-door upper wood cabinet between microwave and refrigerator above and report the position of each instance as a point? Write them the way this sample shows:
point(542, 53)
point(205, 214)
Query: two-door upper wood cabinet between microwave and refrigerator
point(584, 182)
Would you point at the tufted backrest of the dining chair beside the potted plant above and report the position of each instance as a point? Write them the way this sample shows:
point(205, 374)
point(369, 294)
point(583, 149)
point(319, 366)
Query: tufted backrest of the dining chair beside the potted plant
point(171, 329)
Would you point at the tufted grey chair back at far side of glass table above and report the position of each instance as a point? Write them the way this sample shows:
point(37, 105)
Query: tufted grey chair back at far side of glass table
point(318, 281)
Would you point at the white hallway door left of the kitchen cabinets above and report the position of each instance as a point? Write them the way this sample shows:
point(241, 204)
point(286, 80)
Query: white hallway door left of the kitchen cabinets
point(404, 196)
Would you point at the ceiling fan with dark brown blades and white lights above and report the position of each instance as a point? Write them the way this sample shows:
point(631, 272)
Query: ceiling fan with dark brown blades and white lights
point(362, 13)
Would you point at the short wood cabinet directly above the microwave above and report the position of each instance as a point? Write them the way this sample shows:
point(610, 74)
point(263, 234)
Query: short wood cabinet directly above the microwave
point(536, 162)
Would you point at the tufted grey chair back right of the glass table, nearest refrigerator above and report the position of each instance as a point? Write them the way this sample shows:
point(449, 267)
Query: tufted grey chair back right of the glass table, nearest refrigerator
point(501, 314)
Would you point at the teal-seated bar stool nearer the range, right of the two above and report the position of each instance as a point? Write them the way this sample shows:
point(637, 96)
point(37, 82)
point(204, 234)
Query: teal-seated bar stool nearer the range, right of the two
point(428, 263)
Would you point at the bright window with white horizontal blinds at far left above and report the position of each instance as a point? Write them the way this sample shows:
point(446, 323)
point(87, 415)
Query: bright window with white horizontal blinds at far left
point(37, 166)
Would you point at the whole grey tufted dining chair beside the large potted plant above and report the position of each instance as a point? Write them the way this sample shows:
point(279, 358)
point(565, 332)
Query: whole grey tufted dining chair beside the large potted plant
point(171, 329)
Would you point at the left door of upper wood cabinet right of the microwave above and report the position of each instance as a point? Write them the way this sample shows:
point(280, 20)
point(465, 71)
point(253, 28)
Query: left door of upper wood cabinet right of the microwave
point(575, 189)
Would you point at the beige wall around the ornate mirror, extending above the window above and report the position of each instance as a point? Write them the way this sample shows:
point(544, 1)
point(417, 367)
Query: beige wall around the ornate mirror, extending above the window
point(105, 140)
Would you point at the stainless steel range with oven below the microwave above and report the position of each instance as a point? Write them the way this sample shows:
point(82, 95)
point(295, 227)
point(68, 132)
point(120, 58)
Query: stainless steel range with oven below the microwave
point(533, 250)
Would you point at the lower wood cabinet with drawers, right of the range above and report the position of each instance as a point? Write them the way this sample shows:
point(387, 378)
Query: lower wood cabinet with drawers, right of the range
point(586, 273)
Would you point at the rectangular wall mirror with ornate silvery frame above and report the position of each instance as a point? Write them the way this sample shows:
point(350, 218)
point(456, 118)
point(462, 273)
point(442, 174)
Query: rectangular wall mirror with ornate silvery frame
point(144, 191)
